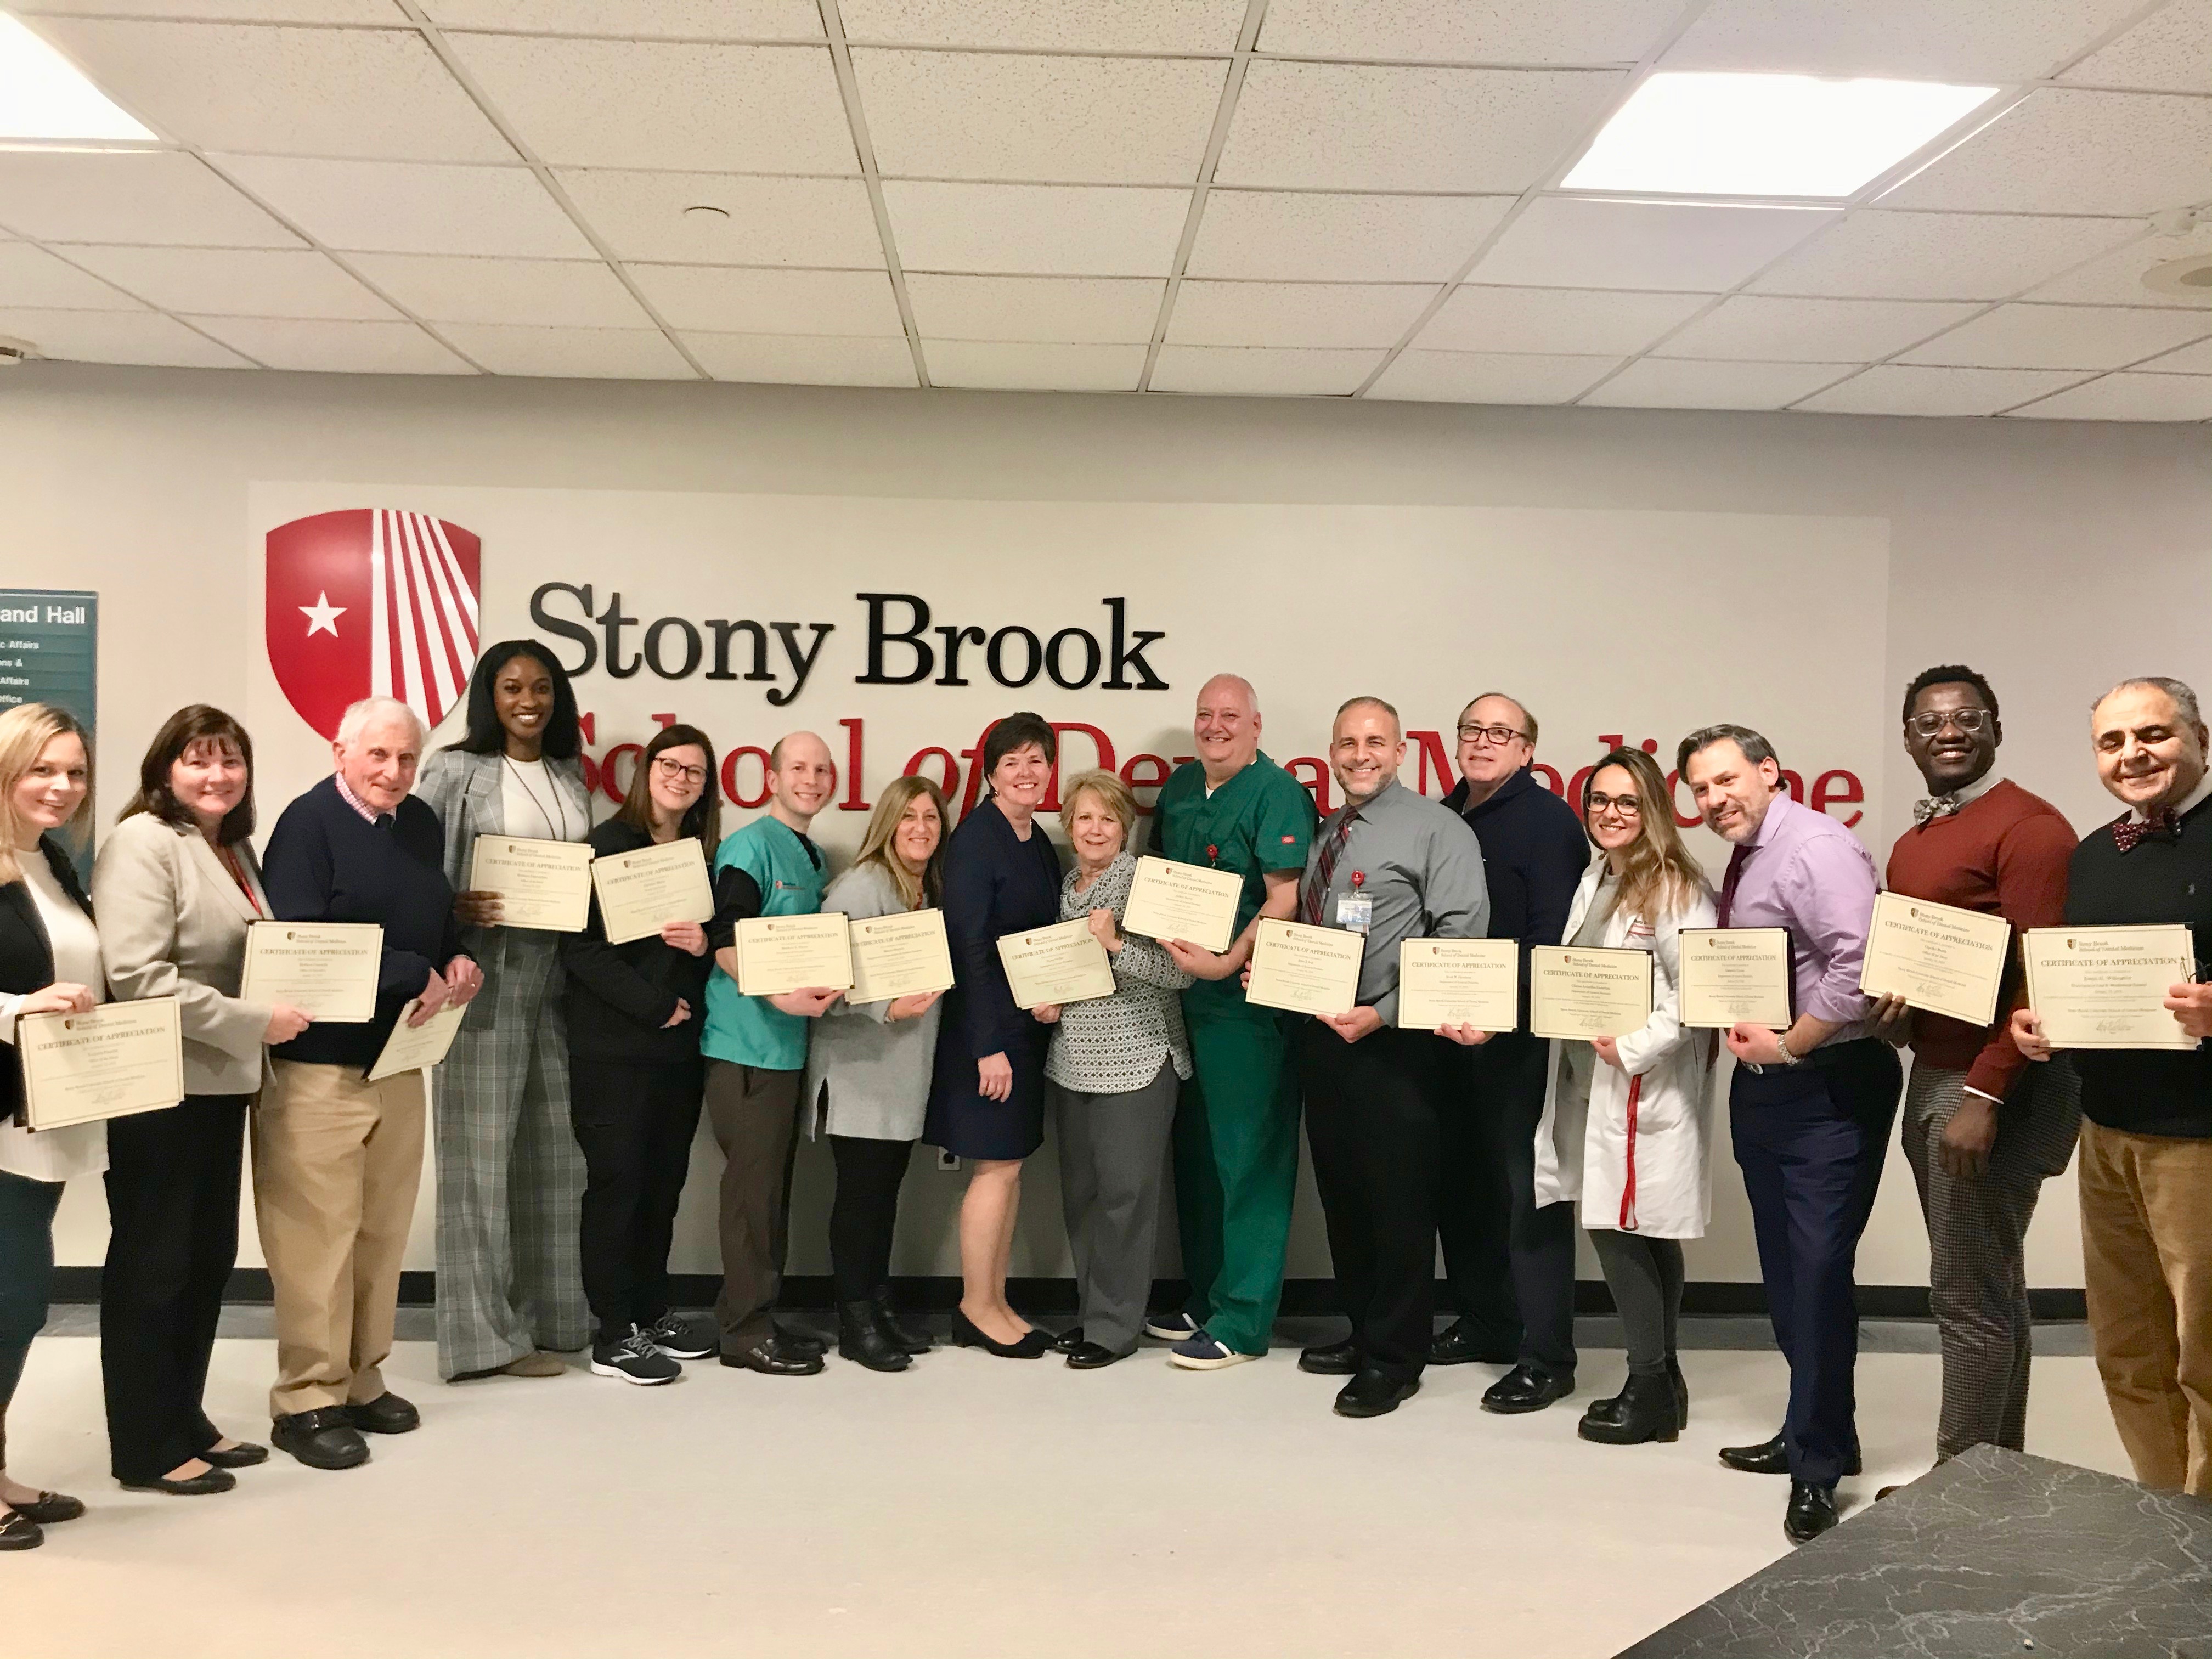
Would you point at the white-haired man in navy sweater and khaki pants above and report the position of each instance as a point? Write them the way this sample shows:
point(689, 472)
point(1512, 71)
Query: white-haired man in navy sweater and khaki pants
point(337, 1160)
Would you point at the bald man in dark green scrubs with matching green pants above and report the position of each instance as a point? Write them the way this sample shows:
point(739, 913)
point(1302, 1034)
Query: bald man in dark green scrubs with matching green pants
point(1238, 1120)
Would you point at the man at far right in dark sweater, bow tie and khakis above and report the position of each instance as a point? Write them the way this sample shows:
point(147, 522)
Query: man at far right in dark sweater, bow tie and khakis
point(2147, 1134)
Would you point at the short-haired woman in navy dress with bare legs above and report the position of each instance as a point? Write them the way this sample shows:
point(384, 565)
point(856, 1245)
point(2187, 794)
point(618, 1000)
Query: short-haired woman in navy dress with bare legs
point(988, 1096)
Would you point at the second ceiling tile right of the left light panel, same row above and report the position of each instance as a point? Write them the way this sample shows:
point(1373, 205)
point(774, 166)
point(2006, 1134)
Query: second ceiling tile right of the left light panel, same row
point(660, 105)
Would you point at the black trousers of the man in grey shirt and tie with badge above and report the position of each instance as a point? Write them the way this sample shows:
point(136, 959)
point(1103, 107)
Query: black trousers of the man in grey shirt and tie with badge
point(1373, 1114)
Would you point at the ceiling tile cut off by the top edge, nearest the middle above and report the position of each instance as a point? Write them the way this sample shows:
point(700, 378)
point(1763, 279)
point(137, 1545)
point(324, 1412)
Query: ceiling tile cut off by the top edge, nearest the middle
point(1052, 25)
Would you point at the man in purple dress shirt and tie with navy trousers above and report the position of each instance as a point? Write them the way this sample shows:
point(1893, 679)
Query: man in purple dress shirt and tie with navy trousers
point(1811, 1107)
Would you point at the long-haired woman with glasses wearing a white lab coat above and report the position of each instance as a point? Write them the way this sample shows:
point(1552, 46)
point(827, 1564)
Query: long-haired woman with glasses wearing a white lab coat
point(1625, 1118)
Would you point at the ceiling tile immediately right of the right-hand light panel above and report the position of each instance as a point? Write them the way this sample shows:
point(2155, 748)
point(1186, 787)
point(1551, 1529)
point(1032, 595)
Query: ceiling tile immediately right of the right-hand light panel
point(2069, 152)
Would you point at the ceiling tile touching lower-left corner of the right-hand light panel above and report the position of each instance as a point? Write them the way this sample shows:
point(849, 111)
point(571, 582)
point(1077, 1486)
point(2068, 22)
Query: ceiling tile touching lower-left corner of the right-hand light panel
point(1342, 238)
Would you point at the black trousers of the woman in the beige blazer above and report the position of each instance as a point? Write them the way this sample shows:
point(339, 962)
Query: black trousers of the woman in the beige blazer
point(174, 1240)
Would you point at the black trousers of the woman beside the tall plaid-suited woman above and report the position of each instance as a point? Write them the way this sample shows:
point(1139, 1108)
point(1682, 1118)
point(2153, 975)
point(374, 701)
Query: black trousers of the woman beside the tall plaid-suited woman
point(636, 1123)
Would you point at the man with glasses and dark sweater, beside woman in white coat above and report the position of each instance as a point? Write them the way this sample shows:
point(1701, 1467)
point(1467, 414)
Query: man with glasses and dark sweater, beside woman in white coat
point(1512, 1264)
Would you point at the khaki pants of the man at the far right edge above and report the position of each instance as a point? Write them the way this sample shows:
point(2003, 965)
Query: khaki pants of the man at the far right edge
point(2147, 1260)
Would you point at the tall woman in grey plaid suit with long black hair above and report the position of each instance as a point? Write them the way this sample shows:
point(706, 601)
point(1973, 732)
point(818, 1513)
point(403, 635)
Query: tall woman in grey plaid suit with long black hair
point(510, 1171)
